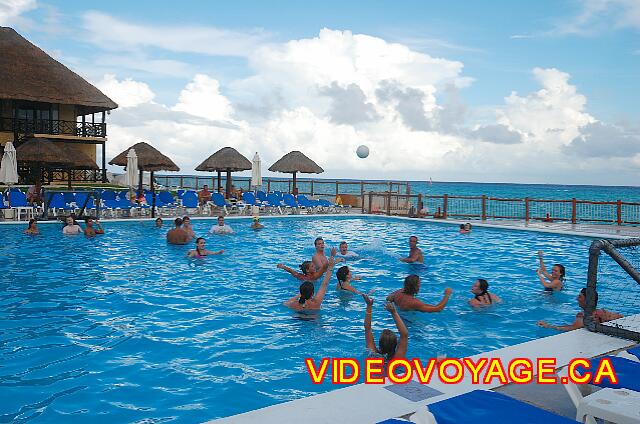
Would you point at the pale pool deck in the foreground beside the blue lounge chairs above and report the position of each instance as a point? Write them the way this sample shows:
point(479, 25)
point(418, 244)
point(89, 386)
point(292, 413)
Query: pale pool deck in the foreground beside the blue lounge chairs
point(371, 403)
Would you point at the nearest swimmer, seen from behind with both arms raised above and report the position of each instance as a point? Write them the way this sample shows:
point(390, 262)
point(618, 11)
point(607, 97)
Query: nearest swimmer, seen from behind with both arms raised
point(388, 345)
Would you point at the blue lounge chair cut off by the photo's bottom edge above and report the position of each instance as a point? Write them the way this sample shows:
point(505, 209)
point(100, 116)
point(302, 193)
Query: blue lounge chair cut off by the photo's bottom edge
point(483, 406)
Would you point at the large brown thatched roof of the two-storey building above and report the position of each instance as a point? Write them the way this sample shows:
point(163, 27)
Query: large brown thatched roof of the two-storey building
point(30, 74)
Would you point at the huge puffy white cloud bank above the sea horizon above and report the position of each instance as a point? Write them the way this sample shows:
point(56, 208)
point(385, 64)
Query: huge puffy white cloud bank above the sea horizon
point(299, 99)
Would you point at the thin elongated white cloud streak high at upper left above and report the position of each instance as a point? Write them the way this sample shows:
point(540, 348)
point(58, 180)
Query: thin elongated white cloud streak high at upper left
point(115, 34)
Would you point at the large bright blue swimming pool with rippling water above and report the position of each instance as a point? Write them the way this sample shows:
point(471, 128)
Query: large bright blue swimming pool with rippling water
point(124, 327)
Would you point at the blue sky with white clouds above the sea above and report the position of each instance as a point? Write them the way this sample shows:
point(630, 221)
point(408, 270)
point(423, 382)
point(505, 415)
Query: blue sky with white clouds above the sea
point(539, 92)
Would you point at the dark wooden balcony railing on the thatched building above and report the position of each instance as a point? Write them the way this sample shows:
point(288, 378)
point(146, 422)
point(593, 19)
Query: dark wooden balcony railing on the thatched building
point(55, 127)
